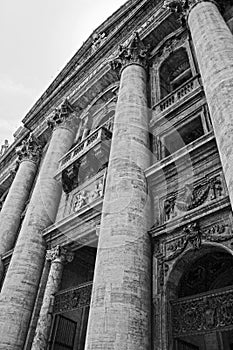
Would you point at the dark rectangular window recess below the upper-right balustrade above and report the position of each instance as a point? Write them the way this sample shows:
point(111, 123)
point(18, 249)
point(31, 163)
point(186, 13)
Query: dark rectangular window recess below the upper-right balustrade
point(183, 136)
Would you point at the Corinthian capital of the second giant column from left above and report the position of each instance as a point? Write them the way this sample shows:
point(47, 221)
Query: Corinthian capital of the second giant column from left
point(64, 116)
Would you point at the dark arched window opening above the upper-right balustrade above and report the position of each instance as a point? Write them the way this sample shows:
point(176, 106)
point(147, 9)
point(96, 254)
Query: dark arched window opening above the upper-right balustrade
point(174, 71)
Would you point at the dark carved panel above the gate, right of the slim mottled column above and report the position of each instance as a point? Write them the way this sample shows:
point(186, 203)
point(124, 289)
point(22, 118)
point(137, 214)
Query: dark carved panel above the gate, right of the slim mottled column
point(72, 299)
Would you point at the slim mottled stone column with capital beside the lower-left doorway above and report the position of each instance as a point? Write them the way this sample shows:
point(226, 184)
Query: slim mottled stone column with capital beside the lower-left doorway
point(58, 257)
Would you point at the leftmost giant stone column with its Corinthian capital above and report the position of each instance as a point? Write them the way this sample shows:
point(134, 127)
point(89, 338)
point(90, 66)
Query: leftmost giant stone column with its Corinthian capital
point(13, 207)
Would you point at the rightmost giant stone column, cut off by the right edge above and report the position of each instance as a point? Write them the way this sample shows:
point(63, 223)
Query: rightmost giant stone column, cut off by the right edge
point(213, 43)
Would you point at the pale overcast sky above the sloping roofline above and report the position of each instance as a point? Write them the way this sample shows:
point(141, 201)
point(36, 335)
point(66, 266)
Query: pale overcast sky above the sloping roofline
point(37, 39)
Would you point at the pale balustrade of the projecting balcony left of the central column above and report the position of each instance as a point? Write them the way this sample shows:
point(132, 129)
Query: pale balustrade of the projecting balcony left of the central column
point(99, 135)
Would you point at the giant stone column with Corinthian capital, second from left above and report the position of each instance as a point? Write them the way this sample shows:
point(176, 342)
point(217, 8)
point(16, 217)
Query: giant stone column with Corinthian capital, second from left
point(21, 283)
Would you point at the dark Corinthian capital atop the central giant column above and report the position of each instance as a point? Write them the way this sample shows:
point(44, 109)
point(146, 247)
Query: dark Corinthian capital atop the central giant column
point(135, 52)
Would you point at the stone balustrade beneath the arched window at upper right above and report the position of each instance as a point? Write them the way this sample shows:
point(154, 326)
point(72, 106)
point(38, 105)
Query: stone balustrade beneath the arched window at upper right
point(184, 92)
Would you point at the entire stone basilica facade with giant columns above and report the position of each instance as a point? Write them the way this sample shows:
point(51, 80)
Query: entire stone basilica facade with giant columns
point(116, 227)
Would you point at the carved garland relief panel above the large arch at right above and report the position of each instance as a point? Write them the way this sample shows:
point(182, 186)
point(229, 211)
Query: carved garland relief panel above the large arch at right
point(191, 197)
